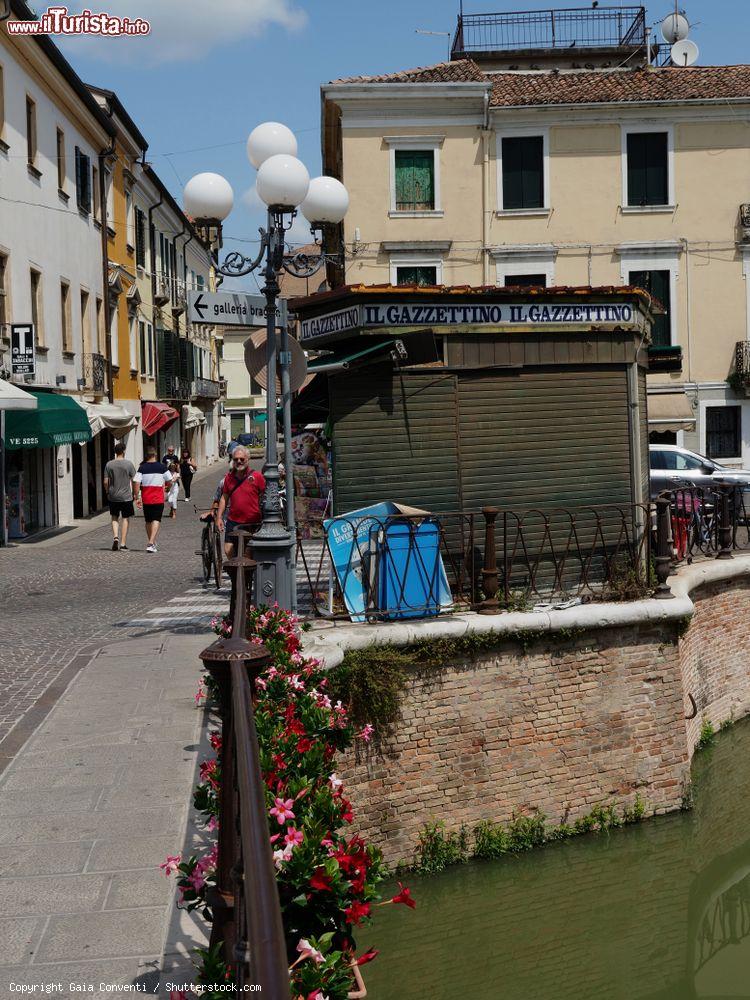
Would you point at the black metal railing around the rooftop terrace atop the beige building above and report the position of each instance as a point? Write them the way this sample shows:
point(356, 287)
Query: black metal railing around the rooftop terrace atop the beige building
point(543, 30)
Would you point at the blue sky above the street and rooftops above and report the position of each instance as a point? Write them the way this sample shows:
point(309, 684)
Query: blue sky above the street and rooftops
point(210, 72)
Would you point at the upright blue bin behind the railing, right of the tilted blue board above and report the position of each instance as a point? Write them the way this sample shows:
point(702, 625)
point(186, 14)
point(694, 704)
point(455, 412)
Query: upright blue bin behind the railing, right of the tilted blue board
point(409, 569)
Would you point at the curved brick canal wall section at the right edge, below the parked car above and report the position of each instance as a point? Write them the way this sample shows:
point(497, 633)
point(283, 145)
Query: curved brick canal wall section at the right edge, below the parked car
point(715, 655)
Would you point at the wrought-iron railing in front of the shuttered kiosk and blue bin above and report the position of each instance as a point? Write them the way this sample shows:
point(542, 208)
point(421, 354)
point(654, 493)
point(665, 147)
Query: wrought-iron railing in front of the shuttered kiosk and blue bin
point(411, 566)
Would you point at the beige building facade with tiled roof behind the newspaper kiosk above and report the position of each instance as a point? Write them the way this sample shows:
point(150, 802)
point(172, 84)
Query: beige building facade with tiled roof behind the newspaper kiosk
point(466, 175)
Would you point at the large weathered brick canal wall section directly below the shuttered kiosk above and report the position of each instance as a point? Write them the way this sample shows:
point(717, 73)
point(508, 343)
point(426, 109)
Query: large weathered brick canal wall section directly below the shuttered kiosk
point(558, 726)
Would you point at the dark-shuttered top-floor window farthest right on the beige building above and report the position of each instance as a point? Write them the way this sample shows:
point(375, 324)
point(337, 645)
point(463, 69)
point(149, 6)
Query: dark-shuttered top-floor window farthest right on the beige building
point(647, 168)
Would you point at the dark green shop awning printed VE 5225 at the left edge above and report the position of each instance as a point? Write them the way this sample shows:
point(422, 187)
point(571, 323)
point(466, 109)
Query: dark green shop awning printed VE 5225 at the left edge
point(57, 420)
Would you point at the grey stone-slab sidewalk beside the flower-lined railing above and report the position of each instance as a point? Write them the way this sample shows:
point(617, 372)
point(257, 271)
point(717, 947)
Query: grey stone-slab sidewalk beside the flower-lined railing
point(89, 809)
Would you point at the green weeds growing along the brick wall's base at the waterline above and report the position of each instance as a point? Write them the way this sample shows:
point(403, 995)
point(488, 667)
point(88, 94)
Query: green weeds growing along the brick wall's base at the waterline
point(437, 848)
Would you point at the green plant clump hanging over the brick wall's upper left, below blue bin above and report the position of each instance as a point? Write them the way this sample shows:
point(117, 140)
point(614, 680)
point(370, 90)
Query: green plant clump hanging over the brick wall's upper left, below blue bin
point(369, 682)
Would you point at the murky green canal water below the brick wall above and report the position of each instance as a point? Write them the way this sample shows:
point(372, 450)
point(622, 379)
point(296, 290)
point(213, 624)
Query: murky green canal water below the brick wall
point(657, 911)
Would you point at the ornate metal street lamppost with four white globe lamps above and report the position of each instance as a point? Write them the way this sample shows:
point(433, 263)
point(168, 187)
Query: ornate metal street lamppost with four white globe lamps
point(284, 185)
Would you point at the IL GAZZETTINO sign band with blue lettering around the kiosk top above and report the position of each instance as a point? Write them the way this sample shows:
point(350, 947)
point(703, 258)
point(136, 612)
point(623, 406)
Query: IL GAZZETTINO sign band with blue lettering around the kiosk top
point(440, 314)
